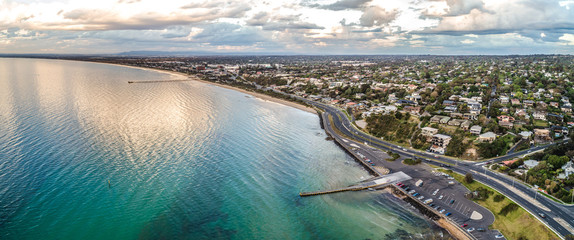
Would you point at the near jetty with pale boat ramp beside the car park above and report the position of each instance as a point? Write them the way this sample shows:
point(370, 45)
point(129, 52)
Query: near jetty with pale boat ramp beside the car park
point(378, 182)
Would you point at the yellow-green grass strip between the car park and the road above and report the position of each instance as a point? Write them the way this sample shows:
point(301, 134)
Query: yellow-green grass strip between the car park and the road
point(515, 224)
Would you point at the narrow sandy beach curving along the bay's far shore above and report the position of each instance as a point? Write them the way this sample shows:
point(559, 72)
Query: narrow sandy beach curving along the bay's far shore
point(260, 96)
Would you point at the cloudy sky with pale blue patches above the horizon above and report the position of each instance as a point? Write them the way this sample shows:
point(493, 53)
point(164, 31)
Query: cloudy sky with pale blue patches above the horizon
point(288, 27)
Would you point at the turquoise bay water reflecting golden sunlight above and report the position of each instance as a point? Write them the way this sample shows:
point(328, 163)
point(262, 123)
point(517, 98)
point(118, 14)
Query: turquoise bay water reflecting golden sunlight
point(85, 155)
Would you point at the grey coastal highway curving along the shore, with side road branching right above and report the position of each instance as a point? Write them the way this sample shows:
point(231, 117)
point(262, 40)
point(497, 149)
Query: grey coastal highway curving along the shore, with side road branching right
point(559, 218)
